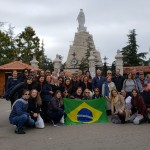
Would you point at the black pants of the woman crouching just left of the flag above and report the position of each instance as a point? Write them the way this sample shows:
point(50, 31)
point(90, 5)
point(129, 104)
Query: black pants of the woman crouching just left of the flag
point(55, 115)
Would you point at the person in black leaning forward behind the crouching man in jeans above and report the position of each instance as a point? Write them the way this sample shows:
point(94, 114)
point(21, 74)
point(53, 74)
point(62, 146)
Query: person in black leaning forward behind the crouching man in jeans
point(18, 89)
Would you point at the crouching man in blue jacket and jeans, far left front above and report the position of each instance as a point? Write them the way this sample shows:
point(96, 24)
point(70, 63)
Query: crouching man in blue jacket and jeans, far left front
point(19, 115)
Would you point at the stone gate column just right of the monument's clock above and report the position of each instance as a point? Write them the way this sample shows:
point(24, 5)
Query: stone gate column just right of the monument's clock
point(92, 64)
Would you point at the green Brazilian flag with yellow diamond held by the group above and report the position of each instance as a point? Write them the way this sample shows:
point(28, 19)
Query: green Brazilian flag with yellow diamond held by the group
point(85, 111)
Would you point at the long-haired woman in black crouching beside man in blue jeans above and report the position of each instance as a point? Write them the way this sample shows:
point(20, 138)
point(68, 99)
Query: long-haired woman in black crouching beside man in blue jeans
point(34, 104)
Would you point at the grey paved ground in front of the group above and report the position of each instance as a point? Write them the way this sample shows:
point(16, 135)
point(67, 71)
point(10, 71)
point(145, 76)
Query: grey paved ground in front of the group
point(104, 136)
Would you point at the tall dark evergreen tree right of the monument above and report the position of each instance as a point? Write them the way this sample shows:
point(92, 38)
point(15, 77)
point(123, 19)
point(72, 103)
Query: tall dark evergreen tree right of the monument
point(131, 57)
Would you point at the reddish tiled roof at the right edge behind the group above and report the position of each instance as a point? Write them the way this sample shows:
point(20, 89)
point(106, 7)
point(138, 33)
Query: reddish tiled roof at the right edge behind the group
point(137, 68)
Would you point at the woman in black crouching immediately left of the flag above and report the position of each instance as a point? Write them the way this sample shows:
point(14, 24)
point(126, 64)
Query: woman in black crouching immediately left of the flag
point(55, 108)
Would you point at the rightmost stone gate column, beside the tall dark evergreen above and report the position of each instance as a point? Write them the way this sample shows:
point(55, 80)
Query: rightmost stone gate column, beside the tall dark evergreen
point(119, 61)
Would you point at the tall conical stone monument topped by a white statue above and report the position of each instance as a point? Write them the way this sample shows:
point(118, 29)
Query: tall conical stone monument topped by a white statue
point(78, 49)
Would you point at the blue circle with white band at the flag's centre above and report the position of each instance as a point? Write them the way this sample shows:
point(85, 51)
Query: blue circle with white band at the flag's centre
point(84, 115)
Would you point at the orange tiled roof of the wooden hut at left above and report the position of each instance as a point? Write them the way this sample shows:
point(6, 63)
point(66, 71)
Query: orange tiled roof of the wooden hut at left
point(16, 65)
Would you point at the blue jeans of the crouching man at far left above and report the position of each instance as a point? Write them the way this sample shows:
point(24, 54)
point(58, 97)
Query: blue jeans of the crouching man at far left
point(21, 121)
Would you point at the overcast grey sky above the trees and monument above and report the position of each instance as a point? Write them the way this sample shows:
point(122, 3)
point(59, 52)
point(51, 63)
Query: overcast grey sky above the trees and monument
point(54, 21)
